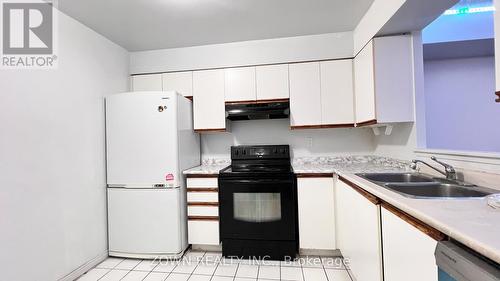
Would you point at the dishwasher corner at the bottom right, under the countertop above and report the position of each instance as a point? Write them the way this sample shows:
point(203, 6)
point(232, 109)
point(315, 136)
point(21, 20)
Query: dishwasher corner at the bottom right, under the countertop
point(457, 263)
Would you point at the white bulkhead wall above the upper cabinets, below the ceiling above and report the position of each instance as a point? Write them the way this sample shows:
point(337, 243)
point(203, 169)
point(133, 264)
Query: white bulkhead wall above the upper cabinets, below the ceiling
point(279, 50)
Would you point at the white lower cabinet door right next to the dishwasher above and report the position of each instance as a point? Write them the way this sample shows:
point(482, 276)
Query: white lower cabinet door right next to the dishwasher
point(408, 252)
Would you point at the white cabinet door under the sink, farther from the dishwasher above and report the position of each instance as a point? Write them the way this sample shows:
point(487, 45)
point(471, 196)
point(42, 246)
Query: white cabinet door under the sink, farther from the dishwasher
point(358, 233)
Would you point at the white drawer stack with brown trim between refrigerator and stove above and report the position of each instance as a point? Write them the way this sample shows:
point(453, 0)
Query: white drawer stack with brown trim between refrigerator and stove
point(203, 211)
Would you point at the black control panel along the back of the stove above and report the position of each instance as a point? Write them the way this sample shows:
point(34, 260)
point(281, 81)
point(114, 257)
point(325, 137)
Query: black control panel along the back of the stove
point(260, 152)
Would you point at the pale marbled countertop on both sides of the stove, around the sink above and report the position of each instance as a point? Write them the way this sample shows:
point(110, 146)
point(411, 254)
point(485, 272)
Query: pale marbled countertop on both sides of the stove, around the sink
point(470, 221)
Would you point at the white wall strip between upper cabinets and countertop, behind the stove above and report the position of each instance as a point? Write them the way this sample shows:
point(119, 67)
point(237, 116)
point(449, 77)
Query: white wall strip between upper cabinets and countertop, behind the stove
point(324, 141)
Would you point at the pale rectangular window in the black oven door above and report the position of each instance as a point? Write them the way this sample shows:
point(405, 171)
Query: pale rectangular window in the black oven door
point(257, 207)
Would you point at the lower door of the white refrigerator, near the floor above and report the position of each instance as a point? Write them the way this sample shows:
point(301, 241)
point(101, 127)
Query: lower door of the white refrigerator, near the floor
point(145, 222)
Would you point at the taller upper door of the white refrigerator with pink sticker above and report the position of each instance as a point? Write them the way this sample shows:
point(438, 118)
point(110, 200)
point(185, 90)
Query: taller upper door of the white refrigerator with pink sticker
point(141, 136)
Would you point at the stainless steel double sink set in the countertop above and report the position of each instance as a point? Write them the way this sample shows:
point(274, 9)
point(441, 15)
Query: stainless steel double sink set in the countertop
point(417, 185)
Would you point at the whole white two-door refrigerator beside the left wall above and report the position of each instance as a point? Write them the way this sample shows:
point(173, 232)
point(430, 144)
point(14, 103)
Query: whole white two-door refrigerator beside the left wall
point(149, 142)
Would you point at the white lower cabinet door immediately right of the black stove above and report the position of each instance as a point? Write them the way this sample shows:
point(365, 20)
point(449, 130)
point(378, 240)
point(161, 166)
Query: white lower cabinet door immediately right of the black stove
point(316, 213)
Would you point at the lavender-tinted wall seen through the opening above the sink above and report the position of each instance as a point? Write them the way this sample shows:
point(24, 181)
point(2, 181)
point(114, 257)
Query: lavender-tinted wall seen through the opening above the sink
point(460, 110)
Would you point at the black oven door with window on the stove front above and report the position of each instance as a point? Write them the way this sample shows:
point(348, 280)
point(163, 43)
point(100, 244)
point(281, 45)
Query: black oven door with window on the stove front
point(260, 208)
